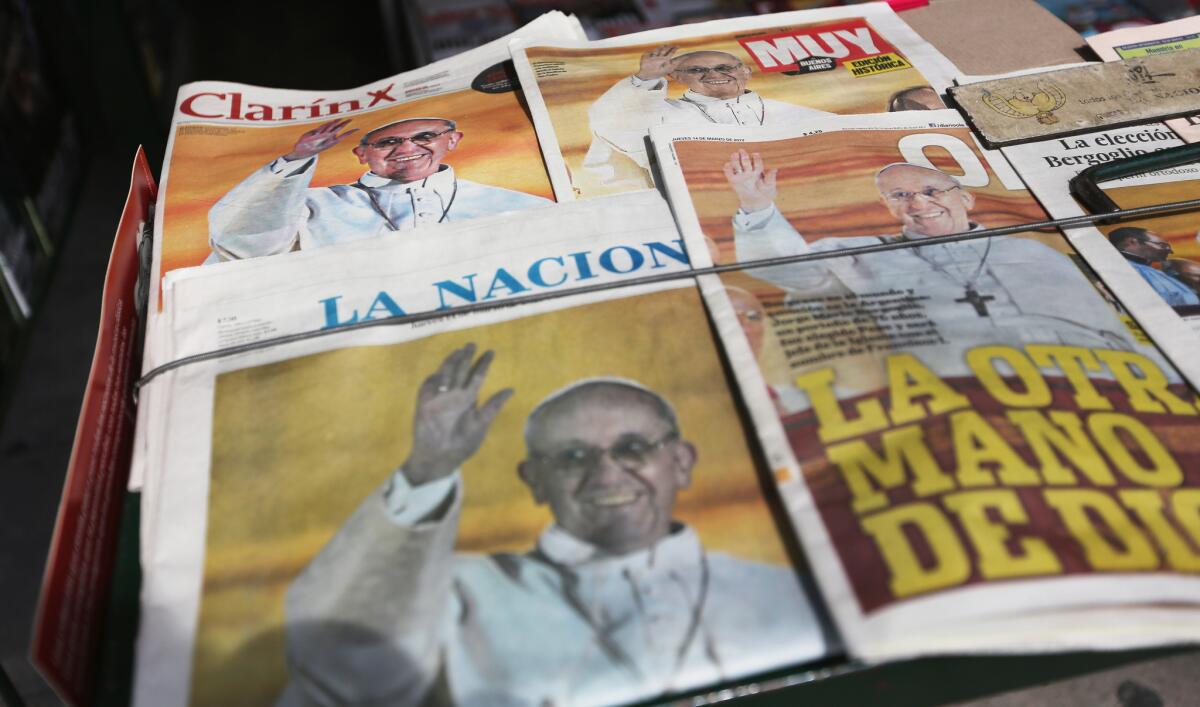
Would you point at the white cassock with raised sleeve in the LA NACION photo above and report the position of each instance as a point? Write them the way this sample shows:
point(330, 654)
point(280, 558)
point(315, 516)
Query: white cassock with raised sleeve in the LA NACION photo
point(388, 613)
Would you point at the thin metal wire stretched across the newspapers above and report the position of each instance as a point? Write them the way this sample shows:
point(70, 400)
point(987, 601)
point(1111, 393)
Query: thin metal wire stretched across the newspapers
point(1123, 215)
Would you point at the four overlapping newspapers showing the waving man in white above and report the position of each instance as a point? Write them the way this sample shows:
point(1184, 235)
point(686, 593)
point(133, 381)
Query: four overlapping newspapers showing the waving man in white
point(411, 433)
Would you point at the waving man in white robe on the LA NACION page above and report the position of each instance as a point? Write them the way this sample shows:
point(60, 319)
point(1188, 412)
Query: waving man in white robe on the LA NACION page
point(617, 601)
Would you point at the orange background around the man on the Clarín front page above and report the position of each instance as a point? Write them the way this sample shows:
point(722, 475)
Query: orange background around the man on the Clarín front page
point(499, 148)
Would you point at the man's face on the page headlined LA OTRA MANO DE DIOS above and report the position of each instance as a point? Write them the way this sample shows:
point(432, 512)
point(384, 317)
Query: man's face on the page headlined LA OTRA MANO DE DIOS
point(926, 202)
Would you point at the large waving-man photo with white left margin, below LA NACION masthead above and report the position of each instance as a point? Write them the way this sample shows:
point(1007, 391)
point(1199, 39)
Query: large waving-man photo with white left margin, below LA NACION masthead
point(465, 519)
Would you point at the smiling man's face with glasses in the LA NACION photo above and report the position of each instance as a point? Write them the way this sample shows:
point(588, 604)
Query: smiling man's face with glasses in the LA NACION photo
point(609, 466)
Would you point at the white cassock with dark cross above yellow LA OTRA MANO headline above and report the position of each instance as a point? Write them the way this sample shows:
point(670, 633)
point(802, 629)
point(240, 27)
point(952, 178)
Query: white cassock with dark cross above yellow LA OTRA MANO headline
point(1024, 292)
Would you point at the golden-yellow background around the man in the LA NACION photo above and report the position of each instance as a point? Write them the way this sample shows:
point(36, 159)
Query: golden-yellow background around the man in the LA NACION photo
point(297, 446)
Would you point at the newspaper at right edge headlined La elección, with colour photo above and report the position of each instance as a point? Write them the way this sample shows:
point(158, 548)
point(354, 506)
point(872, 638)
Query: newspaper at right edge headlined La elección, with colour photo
point(1147, 261)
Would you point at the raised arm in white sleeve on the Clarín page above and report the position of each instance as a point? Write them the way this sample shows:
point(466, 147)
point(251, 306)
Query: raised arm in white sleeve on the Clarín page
point(262, 215)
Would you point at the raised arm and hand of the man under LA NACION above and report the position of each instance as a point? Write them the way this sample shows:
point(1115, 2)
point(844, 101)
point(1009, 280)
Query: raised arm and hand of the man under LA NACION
point(365, 619)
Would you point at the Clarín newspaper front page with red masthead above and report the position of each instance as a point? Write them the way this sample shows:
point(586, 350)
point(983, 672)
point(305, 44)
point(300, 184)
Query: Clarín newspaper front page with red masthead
point(255, 172)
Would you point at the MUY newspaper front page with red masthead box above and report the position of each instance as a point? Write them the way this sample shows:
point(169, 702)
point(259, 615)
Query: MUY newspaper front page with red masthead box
point(596, 103)
